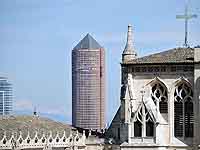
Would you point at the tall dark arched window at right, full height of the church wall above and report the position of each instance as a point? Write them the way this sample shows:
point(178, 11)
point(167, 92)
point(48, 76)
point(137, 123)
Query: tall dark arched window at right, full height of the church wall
point(183, 111)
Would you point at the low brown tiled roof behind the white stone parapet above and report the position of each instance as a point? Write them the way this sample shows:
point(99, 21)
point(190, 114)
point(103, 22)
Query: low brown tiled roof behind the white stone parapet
point(31, 124)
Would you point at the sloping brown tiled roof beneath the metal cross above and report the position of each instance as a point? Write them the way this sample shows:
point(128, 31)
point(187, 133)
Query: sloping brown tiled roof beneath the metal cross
point(176, 55)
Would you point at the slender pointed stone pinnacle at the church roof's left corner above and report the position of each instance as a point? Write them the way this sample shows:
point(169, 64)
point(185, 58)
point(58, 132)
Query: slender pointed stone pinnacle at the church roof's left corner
point(129, 52)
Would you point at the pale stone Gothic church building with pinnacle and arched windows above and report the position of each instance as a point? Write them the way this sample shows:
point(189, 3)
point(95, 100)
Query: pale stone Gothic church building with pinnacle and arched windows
point(160, 100)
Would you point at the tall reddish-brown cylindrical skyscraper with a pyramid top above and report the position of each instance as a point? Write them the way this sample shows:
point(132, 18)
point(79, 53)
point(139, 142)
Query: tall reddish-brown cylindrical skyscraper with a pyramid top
point(88, 84)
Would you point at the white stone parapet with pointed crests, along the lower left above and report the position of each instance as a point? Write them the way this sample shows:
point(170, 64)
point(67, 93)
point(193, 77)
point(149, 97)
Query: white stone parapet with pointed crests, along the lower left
point(46, 141)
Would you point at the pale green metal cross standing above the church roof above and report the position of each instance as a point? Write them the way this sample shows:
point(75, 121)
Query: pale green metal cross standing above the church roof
point(187, 17)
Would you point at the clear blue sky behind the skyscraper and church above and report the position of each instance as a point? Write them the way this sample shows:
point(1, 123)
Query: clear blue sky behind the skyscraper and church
point(37, 36)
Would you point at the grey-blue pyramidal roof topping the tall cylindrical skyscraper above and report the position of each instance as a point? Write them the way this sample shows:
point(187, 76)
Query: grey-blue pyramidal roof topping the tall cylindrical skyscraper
point(88, 42)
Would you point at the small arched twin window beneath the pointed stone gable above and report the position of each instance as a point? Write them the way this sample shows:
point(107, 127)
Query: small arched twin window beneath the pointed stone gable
point(143, 124)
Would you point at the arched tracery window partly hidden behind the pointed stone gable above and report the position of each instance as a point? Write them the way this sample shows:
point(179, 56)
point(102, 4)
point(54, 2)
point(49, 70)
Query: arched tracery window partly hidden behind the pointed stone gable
point(159, 96)
